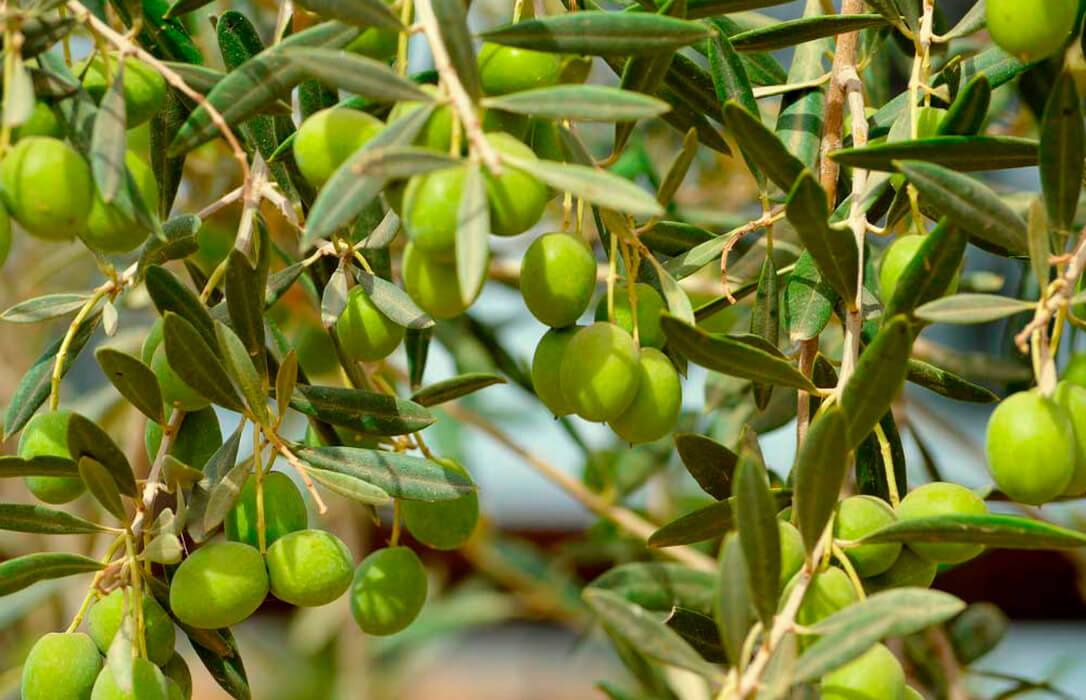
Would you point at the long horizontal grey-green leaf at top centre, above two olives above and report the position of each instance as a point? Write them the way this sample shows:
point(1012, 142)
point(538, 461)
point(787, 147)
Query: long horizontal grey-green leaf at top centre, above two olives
point(600, 33)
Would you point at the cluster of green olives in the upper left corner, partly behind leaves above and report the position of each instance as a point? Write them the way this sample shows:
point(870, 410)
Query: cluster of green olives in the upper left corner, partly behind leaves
point(47, 186)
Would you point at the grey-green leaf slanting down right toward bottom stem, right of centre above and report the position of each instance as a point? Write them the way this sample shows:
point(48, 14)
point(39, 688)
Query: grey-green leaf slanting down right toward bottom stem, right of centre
point(647, 633)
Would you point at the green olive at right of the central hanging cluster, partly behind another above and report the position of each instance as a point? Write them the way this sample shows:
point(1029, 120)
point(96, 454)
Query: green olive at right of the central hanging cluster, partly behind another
point(655, 409)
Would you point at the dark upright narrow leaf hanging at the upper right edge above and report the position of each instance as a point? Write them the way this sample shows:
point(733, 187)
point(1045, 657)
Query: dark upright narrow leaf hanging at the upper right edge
point(1063, 152)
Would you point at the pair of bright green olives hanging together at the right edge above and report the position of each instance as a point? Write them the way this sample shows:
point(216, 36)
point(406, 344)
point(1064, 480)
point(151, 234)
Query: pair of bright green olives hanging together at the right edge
point(1037, 444)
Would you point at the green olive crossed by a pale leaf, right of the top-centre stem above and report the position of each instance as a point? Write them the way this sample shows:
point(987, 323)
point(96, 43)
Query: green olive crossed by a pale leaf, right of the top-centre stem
point(517, 199)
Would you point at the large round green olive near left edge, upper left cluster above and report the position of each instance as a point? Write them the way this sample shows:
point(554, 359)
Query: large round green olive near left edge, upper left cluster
point(47, 187)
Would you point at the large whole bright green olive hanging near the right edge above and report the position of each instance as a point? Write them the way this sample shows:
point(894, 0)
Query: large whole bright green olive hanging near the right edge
point(1031, 449)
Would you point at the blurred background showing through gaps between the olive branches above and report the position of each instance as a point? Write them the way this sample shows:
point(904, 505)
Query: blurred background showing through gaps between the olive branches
point(506, 621)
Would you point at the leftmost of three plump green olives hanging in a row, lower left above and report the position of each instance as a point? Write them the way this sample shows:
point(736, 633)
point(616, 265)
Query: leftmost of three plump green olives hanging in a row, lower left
point(219, 586)
